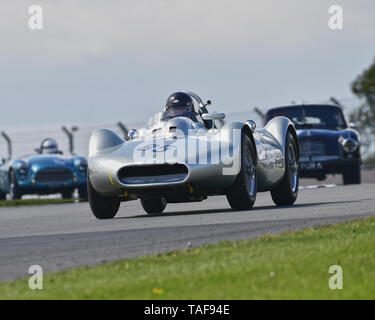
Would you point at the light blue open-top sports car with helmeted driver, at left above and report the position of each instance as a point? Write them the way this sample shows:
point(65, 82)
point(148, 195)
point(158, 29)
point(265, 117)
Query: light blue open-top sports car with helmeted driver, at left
point(46, 172)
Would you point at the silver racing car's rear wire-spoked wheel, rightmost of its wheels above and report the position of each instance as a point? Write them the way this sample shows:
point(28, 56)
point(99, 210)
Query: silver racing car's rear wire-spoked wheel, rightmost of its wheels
point(285, 194)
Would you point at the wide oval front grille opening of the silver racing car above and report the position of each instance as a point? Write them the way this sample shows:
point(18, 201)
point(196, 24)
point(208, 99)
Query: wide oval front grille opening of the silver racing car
point(159, 173)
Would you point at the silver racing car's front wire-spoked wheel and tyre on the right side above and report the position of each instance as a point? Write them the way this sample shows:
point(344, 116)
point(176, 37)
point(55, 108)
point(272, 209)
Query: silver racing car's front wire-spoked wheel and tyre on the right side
point(242, 194)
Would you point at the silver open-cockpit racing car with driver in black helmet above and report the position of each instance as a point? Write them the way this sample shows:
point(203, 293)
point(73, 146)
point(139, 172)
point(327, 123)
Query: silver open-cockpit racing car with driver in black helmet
point(186, 154)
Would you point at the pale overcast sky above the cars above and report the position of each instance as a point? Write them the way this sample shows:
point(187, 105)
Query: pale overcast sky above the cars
point(104, 61)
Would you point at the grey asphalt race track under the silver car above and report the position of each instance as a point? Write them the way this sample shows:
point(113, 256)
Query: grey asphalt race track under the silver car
point(62, 236)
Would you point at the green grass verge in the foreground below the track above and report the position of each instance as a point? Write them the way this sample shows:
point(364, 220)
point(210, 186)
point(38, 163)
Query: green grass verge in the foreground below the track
point(293, 265)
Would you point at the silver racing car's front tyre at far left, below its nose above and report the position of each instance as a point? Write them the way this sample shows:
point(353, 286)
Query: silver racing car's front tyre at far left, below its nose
point(101, 206)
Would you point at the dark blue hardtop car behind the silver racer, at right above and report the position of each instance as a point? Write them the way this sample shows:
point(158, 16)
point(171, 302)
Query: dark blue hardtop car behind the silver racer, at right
point(327, 144)
